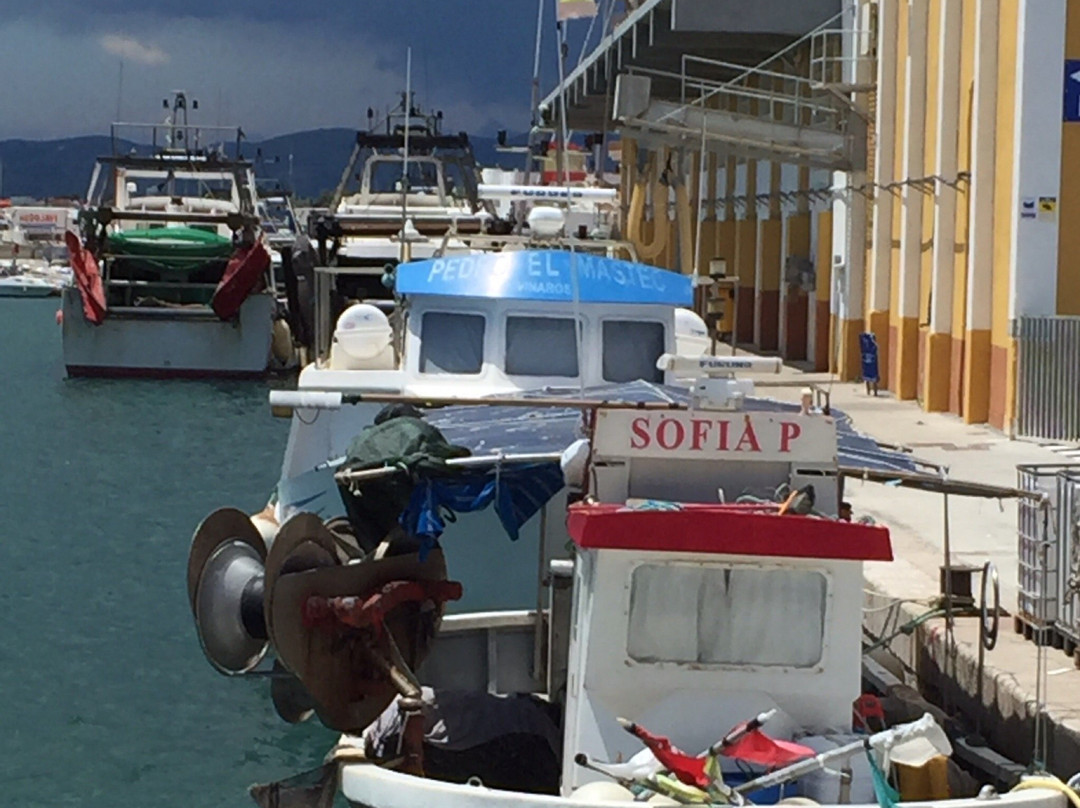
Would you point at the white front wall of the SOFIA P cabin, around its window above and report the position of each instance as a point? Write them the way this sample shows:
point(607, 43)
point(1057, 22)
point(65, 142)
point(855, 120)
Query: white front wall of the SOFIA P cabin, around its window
point(670, 699)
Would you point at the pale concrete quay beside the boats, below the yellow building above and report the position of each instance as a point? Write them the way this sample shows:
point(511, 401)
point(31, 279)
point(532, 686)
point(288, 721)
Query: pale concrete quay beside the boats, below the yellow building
point(981, 531)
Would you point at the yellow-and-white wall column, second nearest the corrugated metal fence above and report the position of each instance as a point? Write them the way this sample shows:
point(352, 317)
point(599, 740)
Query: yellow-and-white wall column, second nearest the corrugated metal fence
point(938, 375)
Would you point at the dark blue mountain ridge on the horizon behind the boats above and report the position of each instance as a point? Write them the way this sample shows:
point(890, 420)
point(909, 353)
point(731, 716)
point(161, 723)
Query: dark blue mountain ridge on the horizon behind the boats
point(43, 169)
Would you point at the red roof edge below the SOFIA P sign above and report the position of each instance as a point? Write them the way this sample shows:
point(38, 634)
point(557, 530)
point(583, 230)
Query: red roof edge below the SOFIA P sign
point(731, 530)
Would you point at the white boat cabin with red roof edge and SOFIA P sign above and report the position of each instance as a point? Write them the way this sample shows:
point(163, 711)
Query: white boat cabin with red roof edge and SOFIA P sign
point(696, 605)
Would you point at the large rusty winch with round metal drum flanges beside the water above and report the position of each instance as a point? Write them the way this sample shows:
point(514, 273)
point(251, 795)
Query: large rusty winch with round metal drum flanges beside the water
point(346, 629)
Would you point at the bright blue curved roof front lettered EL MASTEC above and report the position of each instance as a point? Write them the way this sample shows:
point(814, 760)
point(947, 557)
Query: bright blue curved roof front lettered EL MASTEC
point(552, 276)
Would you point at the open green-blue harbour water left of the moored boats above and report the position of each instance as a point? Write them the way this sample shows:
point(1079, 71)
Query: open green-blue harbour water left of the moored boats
point(105, 697)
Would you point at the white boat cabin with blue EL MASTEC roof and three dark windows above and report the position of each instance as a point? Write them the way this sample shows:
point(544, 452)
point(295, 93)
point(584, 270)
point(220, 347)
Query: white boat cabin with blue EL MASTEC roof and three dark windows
point(490, 325)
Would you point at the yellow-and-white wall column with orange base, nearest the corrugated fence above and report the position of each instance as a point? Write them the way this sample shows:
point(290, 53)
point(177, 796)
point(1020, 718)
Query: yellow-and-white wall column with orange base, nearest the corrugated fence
point(977, 351)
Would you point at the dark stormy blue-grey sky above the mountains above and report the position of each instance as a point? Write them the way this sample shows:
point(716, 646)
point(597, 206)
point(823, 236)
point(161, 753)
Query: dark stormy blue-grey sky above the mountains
point(272, 68)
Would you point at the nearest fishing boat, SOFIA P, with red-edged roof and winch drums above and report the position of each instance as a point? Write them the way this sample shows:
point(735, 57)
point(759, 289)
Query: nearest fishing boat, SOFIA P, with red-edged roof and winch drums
point(698, 640)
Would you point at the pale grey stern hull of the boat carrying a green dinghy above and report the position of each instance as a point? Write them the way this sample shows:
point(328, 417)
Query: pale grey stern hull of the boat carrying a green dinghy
point(163, 343)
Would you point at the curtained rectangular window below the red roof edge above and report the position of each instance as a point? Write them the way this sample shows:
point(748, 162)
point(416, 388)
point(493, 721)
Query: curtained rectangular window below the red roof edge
point(730, 616)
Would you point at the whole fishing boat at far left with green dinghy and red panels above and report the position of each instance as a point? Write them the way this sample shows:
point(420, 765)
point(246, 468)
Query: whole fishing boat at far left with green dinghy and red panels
point(172, 277)
